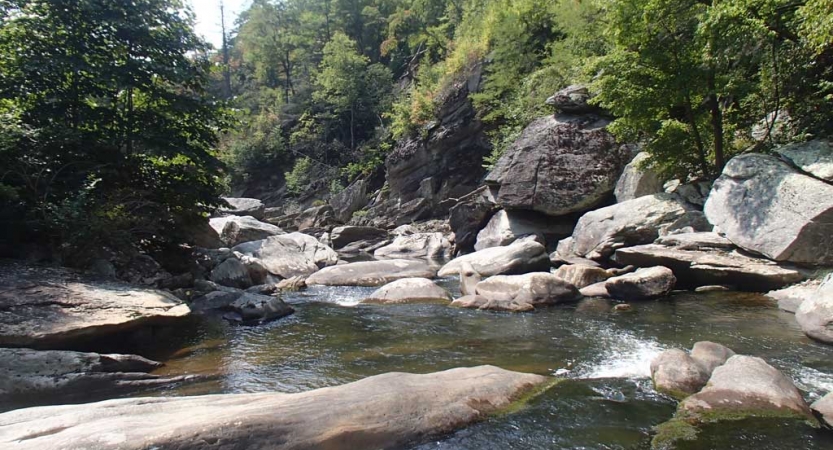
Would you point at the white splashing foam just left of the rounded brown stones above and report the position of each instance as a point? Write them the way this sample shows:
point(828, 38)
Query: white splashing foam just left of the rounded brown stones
point(626, 356)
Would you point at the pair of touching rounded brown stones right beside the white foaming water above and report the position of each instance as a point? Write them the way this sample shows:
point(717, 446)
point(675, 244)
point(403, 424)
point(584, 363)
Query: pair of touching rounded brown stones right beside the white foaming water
point(679, 374)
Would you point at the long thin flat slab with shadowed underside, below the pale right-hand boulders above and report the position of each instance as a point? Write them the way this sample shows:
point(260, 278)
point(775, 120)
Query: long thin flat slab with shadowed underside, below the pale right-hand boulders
point(704, 268)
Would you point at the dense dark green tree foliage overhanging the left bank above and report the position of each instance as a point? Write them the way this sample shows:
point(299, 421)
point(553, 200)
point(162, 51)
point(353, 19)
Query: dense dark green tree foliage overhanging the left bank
point(107, 132)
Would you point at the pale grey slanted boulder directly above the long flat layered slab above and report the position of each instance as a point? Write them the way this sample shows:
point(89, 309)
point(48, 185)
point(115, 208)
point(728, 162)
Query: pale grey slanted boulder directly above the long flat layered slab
point(639, 221)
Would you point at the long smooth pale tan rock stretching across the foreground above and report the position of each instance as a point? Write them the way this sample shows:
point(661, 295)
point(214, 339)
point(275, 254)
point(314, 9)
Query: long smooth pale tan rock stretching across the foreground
point(387, 411)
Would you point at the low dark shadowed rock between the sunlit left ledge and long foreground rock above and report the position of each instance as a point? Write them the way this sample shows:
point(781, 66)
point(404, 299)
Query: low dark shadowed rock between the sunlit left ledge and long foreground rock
point(30, 376)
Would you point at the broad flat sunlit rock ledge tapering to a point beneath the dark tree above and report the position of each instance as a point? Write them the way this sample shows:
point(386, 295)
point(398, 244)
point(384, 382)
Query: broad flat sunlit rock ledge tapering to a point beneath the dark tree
point(44, 307)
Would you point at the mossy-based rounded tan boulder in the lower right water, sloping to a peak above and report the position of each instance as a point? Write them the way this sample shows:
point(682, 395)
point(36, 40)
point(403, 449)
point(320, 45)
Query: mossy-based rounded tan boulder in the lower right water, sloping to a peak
point(746, 386)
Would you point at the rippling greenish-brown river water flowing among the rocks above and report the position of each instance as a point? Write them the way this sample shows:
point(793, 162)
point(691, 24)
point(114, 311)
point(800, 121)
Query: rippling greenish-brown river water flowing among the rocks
point(607, 403)
